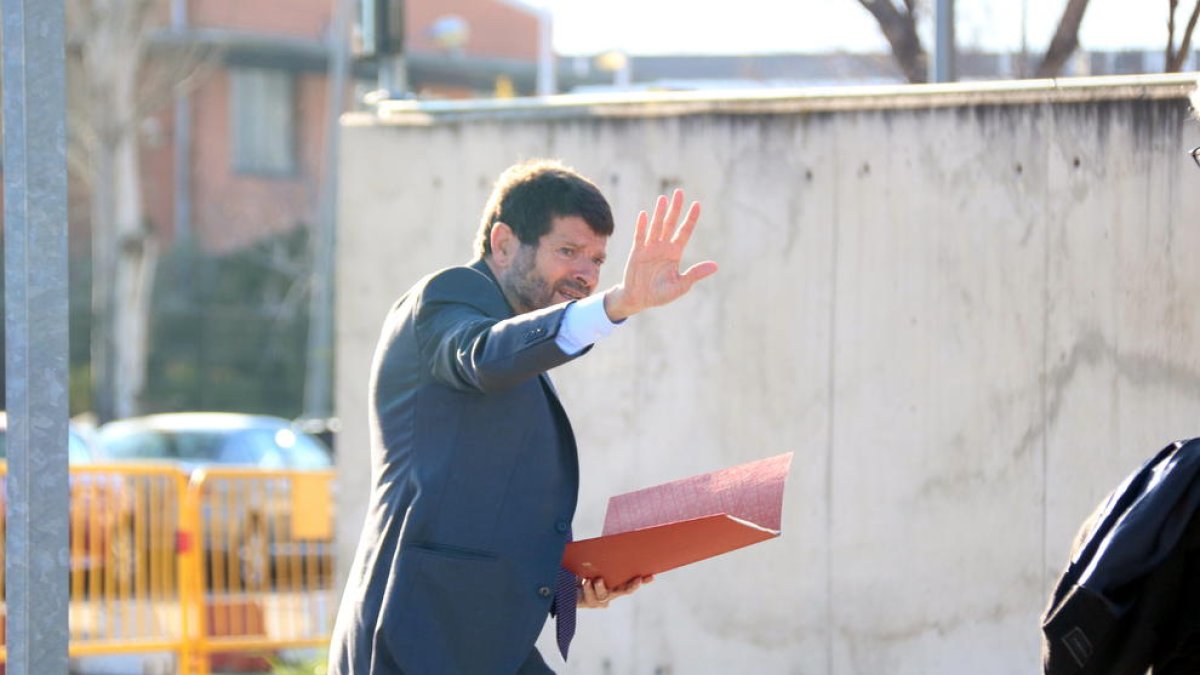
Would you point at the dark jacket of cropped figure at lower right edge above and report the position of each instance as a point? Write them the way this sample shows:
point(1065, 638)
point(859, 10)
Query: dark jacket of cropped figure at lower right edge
point(1126, 599)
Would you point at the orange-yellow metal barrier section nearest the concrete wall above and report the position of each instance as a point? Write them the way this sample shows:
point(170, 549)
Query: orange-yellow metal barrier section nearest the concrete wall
point(265, 565)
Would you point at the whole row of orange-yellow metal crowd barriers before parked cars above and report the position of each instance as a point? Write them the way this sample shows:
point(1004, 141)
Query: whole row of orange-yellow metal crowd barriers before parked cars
point(215, 563)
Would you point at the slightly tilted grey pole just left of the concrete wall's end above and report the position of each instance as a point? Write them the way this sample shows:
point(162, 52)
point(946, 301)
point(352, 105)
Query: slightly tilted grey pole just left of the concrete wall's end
point(319, 399)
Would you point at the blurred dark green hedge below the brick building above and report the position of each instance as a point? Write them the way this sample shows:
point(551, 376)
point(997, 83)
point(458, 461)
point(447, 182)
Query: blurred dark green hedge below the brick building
point(229, 331)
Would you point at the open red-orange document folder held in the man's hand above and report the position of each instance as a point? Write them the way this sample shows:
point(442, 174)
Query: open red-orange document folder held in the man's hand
point(668, 527)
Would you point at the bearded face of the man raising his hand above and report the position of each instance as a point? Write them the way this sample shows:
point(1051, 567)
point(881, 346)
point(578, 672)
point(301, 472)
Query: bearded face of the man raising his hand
point(565, 266)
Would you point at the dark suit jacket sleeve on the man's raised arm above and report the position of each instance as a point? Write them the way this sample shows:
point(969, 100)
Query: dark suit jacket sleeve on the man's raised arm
point(469, 349)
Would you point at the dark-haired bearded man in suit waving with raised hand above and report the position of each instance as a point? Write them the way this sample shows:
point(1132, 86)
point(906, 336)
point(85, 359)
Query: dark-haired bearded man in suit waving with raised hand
point(475, 464)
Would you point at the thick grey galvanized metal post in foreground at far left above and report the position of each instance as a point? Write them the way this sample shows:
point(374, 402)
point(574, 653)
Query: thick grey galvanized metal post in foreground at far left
point(35, 210)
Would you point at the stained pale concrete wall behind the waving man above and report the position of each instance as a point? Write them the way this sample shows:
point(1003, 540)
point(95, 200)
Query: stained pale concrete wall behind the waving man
point(969, 313)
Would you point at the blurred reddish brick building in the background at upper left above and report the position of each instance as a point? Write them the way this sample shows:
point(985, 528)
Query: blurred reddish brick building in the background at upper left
point(241, 156)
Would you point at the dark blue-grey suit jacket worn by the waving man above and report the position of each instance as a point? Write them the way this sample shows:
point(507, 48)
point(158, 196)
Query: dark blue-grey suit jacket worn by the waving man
point(476, 480)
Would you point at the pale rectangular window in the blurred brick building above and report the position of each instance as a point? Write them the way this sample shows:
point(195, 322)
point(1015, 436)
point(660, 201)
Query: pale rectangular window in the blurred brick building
point(263, 121)
